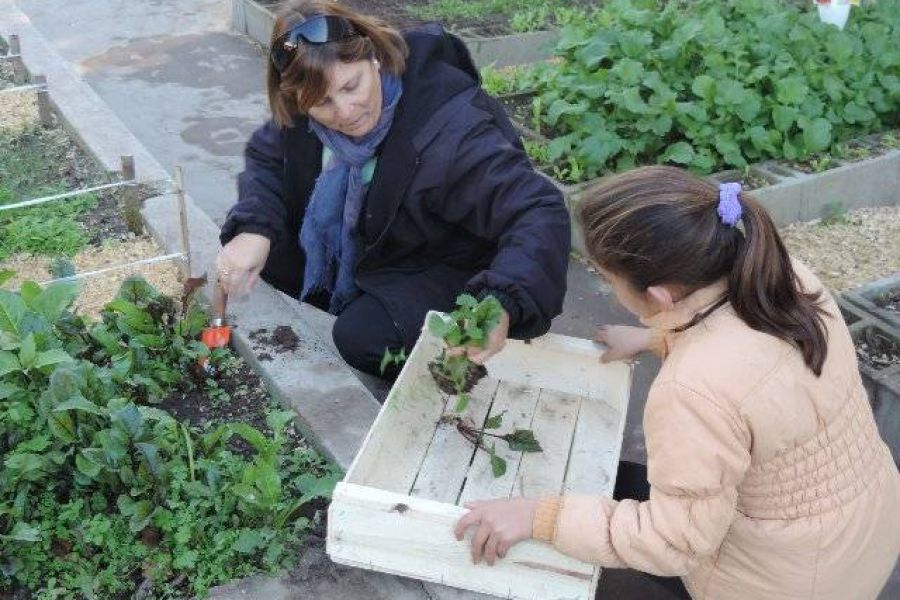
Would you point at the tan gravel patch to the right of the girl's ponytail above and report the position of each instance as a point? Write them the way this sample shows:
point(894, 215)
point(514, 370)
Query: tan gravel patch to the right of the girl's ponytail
point(858, 247)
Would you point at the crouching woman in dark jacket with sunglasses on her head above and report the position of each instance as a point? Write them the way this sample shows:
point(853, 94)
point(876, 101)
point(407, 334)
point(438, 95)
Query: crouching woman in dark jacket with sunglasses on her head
point(387, 183)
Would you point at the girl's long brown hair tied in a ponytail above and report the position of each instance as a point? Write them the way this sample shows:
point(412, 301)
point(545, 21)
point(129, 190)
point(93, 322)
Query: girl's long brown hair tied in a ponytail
point(660, 225)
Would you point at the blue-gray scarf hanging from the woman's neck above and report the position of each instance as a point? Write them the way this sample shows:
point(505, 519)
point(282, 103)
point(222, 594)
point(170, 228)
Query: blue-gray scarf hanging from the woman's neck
point(329, 233)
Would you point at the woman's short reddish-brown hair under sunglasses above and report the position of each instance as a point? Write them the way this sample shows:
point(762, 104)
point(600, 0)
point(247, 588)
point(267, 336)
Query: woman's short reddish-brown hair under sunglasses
point(305, 81)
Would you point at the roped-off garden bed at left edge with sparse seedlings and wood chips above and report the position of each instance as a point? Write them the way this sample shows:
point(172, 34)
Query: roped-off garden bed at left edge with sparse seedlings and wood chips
point(69, 236)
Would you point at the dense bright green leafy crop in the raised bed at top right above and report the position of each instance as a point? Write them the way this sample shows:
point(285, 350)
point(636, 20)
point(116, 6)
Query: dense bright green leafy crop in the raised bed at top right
point(711, 84)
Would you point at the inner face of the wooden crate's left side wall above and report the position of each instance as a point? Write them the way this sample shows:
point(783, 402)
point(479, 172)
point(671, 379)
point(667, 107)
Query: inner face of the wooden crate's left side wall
point(392, 453)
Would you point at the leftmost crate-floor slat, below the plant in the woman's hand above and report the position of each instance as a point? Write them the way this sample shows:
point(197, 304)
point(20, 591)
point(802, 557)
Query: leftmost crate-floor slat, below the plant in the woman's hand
point(448, 458)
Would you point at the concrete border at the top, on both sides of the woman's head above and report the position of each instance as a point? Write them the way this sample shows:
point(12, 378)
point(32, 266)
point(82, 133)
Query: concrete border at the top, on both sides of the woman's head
point(254, 20)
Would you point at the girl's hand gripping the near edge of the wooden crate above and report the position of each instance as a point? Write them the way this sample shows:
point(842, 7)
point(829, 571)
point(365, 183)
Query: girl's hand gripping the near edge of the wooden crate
point(500, 524)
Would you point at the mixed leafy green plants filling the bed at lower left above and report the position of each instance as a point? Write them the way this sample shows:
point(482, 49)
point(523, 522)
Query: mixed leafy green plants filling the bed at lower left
point(100, 491)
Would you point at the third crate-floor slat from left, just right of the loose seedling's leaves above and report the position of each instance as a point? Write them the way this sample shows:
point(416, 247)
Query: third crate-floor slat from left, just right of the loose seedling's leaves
point(543, 473)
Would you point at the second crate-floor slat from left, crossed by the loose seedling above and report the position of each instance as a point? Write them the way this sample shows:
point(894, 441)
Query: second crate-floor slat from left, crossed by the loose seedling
point(517, 403)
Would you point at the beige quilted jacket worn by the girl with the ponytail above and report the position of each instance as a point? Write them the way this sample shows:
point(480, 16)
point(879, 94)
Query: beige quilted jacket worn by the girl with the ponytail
point(766, 481)
